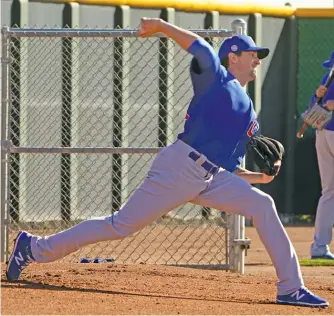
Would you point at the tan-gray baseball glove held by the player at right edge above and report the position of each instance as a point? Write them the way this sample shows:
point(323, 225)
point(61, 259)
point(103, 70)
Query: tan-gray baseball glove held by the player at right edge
point(317, 116)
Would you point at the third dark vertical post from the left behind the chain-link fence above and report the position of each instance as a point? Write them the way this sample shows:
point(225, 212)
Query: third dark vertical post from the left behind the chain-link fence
point(120, 101)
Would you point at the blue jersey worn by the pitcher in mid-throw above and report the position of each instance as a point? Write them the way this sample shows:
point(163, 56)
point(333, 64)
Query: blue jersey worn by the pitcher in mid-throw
point(221, 118)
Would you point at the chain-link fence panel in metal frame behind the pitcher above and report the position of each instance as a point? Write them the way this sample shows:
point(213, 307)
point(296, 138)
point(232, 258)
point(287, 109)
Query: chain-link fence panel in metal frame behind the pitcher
point(86, 112)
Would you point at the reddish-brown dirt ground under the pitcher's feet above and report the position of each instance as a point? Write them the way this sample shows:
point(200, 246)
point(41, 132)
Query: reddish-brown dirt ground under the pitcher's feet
point(111, 288)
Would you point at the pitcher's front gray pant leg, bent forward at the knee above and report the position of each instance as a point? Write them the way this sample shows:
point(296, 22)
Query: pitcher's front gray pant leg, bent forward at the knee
point(232, 194)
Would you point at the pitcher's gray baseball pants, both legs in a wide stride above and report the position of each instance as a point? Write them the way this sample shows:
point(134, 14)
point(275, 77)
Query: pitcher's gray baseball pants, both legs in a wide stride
point(173, 180)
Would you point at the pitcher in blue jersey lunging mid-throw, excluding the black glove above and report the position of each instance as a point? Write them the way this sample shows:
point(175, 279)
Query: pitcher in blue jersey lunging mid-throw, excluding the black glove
point(202, 166)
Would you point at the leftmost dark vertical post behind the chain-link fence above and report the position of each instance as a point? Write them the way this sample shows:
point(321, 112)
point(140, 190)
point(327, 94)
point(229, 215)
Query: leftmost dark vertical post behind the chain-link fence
point(19, 18)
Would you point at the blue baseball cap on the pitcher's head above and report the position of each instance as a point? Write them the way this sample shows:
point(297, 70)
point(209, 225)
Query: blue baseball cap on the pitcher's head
point(241, 43)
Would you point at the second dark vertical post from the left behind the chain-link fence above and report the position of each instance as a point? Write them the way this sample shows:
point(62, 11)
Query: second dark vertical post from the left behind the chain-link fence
point(69, 84)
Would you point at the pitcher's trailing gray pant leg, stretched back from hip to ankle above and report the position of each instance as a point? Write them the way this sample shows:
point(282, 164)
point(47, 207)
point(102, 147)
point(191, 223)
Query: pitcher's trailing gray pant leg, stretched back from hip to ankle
point(172, 180)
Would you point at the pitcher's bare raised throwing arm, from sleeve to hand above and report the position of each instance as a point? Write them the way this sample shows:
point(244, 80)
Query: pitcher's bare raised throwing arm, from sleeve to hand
point(150, 26)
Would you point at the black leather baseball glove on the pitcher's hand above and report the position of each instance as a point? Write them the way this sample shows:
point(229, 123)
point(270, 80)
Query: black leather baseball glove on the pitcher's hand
point(265, 152)
